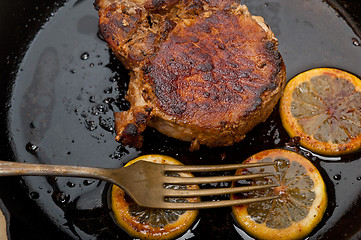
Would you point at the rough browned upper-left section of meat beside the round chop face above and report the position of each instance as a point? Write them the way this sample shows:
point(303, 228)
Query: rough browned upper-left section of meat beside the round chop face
point(134, 29)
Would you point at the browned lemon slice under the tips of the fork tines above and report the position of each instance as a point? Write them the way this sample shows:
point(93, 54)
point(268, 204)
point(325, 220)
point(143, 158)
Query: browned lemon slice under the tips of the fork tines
point(302, 197)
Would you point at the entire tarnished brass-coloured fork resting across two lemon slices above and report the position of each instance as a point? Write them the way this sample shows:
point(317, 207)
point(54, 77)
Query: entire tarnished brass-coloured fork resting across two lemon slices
point(145, 181)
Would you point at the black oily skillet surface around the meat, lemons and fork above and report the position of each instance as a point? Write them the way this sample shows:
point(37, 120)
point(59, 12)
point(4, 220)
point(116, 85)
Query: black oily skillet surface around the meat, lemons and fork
point(60, 86)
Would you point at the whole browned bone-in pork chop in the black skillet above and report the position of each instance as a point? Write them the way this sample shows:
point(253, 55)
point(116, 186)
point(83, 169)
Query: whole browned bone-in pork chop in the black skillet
point(204, 71)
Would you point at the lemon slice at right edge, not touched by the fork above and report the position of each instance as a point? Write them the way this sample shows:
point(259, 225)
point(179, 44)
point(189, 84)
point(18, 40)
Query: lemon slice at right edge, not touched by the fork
point(323, 107)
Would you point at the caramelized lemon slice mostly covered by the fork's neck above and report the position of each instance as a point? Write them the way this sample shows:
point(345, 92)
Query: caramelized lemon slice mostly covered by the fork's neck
point(147, 223)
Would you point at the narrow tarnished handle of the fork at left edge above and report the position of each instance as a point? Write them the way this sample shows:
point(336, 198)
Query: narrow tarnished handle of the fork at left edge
point(30, 169)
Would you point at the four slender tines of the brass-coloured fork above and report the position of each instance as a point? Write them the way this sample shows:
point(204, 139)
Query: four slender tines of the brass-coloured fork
point(214, 191)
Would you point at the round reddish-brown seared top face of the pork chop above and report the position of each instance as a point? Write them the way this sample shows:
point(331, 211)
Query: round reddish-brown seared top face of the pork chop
point(219, 65)
